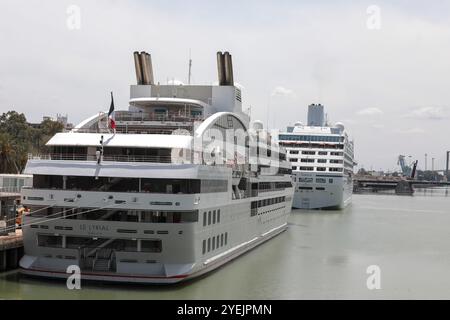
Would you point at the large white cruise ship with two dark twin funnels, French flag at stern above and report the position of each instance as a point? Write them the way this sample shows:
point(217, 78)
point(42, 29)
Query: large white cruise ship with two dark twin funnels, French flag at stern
point(173, 187)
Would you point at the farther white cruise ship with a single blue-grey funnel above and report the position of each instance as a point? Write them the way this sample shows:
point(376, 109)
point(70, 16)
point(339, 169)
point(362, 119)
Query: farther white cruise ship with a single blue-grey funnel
point(322, 162)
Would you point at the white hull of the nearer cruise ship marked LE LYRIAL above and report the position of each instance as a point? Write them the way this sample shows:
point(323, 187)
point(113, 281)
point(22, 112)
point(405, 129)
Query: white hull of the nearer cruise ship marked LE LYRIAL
point(181, 258)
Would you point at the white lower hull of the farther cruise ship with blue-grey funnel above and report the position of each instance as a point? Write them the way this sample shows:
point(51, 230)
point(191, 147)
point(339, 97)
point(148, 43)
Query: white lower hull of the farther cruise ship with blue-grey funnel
point(336, 195)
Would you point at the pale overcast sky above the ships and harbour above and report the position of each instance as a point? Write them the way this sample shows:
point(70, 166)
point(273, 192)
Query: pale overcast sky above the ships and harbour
point(380, 67)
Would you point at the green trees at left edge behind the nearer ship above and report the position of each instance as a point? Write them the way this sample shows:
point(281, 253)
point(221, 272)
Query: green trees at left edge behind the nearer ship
point(18, 138)
